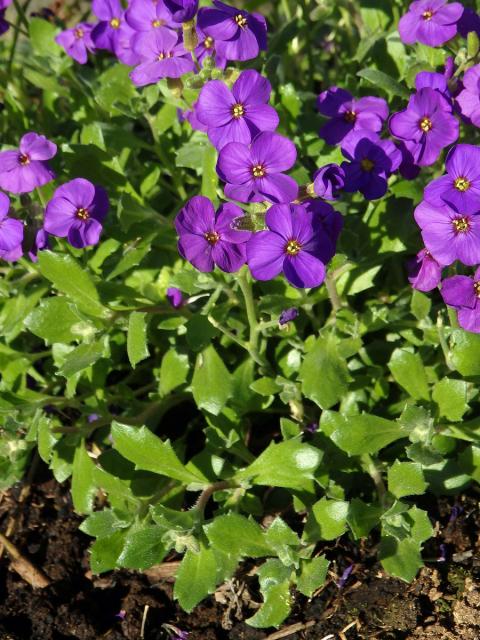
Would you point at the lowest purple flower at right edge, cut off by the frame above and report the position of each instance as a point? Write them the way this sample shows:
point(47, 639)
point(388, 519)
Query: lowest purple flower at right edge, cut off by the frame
point(463, 293)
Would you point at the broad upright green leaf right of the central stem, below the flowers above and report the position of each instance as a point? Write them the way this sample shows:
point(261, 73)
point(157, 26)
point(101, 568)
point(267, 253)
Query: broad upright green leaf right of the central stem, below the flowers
point(324, 374)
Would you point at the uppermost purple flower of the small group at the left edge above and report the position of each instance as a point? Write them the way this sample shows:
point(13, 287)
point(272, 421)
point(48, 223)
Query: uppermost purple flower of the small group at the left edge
point(23, 170)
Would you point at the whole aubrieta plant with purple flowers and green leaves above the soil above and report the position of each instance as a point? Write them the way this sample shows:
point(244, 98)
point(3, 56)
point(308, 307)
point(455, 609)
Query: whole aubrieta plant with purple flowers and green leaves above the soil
point(240, 279)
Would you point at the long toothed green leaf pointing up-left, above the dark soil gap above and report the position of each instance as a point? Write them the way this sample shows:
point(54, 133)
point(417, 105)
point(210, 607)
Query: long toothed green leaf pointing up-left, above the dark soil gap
point(150, 453)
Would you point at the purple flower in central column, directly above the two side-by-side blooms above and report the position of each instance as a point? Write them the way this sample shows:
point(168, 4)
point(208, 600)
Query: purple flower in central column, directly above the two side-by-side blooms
point(254, 173)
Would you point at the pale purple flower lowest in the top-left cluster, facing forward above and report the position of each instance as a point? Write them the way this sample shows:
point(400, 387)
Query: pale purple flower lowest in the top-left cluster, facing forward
point(162, 56)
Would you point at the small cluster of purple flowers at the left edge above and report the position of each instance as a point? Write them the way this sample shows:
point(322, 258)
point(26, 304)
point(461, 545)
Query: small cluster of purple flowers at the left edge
point(76, 210)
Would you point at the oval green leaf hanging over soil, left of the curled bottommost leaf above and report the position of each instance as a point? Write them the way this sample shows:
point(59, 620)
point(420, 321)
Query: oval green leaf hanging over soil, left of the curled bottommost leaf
point(196, 578)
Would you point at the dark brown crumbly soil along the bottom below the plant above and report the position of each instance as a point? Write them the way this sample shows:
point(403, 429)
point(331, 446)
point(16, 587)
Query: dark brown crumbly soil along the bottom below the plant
point(443, 603)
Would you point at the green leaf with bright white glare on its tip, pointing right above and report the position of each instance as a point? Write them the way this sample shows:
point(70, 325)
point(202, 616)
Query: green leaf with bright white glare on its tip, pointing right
point(289, 464)
